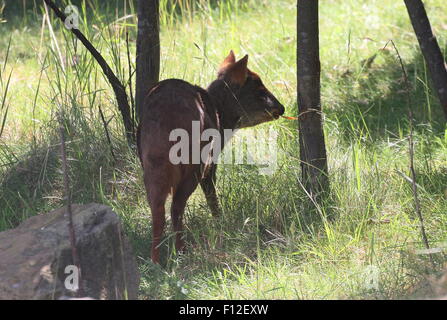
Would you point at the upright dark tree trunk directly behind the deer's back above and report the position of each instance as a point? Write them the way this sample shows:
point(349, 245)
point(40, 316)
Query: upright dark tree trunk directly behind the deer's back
point(148, 50)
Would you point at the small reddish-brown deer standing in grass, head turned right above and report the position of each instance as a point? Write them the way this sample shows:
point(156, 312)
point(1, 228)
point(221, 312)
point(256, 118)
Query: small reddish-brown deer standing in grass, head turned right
point(236, 99)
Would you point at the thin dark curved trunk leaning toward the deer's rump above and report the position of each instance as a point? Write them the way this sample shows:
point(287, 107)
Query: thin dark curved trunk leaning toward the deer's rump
point(117, 86)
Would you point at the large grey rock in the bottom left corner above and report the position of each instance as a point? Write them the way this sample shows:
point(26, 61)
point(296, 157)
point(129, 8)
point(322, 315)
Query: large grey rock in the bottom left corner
point(34, 256)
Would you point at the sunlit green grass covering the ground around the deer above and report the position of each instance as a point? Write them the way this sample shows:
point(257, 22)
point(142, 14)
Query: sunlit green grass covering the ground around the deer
point(269, 244)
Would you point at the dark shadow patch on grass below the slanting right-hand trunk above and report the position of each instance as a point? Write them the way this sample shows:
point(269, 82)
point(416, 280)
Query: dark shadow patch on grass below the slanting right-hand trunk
point(374, 105)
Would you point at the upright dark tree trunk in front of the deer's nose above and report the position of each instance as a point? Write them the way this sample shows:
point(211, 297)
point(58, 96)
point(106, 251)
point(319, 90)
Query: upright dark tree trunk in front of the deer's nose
point(312, 145)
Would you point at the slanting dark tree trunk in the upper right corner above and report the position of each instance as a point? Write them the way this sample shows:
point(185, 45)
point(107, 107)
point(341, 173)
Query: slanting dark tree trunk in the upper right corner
point(430, 49)
